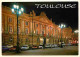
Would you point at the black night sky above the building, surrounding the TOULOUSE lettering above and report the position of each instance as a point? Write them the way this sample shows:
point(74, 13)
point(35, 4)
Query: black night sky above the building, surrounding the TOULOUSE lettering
point(69, 16)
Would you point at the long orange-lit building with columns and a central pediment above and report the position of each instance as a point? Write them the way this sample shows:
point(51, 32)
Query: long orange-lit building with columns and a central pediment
point(44, 31)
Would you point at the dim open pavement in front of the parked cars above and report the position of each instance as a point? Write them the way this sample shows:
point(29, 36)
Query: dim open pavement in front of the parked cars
point(69, 50)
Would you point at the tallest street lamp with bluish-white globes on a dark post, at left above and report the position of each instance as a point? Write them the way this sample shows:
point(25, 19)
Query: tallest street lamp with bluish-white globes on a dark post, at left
point(18, 11)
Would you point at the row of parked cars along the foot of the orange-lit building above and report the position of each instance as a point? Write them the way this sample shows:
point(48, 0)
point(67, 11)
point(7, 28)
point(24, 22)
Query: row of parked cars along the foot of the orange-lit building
point(26, 47)
